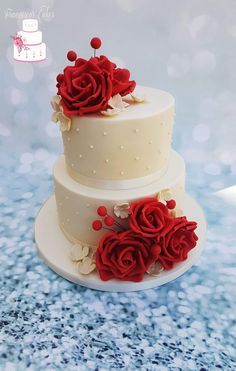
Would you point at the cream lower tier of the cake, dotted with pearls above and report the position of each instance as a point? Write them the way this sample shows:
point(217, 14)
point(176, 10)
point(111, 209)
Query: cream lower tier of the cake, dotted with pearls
point(77, 204)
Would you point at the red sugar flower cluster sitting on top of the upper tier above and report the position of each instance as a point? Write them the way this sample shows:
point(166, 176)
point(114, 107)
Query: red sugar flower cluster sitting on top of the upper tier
point(87, 86)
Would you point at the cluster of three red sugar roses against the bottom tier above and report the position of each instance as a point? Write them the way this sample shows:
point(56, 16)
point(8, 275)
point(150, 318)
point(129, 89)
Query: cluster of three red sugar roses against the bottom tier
point(153, 235)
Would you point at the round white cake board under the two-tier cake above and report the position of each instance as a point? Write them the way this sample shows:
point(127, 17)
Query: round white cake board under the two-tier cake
point(54, 249)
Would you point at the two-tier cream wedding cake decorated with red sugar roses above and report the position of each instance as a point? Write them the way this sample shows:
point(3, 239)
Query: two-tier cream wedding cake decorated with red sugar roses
point(119, 187)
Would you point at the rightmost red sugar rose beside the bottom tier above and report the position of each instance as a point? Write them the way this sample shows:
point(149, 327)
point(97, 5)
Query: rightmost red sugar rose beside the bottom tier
point(176, 244)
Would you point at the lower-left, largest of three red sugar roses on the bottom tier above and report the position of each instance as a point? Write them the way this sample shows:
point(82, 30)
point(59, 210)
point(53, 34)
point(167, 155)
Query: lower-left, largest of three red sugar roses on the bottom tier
point(125, 256)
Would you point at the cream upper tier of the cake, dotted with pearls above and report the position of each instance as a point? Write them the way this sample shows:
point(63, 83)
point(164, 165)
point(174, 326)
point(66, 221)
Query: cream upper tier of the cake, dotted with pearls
point(112, 152)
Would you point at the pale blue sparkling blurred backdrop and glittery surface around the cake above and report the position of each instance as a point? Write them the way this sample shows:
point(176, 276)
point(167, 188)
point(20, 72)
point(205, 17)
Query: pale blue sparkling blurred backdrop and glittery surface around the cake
point(47, 323)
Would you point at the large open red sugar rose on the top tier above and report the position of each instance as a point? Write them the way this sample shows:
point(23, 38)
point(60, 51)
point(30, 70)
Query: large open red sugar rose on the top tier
point(85, 88)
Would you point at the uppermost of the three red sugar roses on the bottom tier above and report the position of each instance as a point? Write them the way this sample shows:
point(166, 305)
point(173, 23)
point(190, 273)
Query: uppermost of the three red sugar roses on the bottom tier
point(150, 218)
